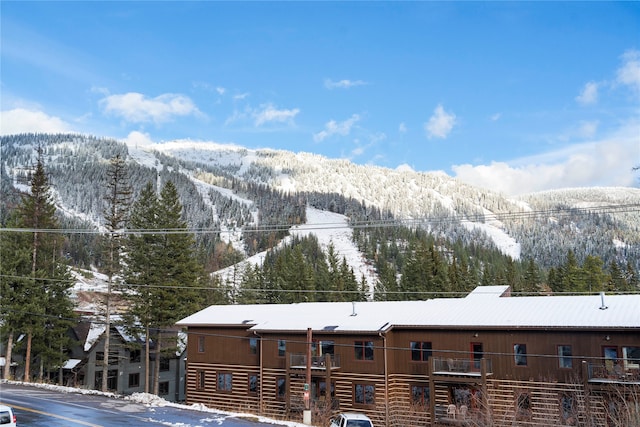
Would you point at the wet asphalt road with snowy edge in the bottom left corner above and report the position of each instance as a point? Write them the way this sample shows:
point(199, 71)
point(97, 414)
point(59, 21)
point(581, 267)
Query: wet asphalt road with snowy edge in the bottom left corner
point(41, 407)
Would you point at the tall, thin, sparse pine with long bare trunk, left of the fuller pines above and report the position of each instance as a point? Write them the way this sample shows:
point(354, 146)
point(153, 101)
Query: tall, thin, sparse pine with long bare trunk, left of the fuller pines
point(116, 213)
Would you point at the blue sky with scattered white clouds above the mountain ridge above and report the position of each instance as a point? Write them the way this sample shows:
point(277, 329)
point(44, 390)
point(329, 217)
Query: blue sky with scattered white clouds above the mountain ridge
point(513, 96)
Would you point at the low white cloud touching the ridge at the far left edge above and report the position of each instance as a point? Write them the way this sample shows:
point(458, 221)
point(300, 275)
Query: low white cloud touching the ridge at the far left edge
point(21, 120)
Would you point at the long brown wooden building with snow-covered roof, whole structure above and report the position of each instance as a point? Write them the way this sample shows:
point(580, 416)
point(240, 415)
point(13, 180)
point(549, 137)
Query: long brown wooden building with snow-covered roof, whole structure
point(486, 359)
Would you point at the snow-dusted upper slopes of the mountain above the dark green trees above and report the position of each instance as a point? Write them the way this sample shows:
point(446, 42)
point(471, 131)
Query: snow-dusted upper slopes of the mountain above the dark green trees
point(223, 188)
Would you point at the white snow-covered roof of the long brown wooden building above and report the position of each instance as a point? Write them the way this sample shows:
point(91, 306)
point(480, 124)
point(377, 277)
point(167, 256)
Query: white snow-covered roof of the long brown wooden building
point(482, 308)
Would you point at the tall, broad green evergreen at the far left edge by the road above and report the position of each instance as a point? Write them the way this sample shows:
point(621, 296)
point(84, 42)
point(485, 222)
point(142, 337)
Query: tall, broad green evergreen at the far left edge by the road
point(38, 300)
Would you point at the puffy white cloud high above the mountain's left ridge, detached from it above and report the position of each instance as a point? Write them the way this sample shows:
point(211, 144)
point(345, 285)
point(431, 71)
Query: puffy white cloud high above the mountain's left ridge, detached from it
point(137, 108)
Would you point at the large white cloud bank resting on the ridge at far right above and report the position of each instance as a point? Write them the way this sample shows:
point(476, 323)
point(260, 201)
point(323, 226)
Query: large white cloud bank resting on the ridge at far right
point(606, 162)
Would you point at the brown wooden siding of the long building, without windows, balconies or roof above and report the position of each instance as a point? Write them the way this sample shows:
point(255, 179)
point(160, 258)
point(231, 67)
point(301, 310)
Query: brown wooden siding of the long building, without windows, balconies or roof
point(393, 373)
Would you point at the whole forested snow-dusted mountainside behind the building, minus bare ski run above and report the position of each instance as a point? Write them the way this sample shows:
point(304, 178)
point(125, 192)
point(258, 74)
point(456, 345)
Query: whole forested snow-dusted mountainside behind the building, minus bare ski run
point(423, 233)
